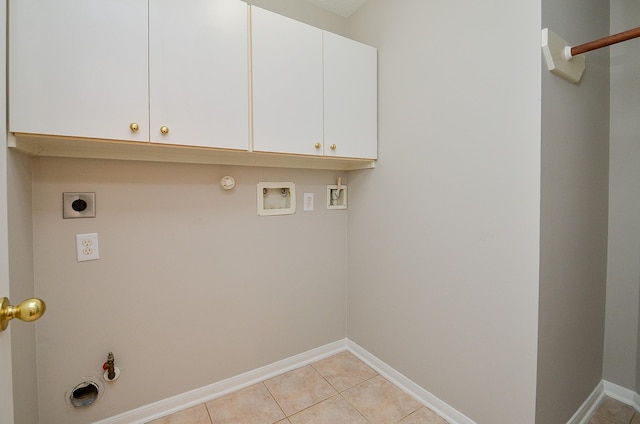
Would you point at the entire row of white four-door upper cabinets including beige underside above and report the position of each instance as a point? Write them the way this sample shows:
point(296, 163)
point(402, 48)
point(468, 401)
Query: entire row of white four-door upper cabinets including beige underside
point(188, 73)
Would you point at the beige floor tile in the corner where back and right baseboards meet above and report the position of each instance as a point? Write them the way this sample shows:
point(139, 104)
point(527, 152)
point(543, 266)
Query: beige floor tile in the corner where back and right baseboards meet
point(344, 370)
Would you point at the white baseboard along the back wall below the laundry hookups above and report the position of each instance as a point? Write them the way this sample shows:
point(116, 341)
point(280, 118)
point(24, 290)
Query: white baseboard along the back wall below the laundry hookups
point(213, 391)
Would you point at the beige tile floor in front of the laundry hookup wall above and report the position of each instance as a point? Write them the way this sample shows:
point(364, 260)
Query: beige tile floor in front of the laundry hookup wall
point(338, 389)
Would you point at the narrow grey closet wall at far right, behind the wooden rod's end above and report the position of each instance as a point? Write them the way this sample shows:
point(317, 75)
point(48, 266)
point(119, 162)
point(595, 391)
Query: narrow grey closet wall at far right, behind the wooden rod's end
point(622, 355)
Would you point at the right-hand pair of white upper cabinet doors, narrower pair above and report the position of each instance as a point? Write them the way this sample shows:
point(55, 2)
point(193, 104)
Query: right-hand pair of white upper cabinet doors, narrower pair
point(314, 92)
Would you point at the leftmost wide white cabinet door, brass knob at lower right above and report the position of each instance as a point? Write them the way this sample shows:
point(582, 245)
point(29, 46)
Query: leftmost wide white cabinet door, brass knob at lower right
point(79, 68)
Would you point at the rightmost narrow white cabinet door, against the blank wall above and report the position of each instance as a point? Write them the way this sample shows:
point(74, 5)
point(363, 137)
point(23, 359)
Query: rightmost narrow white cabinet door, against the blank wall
point(350, 98)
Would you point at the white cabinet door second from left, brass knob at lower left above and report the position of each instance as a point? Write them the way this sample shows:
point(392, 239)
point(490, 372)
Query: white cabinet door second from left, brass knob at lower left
point(198, 73)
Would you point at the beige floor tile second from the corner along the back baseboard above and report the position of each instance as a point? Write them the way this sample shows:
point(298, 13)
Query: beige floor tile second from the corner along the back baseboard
point(299, 389)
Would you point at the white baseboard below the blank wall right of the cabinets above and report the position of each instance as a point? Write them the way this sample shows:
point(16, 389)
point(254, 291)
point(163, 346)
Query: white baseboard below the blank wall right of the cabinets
point(432, 402)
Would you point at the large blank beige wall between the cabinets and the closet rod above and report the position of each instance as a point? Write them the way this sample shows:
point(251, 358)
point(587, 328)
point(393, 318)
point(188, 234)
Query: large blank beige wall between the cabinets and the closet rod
point(444, 235)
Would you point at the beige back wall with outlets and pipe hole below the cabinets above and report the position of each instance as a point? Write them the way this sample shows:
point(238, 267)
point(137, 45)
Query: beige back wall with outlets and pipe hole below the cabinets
point(191, 287)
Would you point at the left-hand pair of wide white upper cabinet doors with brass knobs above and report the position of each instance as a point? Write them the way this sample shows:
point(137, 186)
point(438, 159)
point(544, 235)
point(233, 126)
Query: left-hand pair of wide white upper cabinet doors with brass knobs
point(81, 68)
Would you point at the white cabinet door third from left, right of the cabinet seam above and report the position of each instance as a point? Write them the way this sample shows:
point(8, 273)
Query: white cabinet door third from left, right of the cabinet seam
point(287, 84)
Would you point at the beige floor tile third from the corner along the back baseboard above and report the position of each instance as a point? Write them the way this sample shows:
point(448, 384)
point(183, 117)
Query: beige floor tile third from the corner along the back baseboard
point(252, 405)
